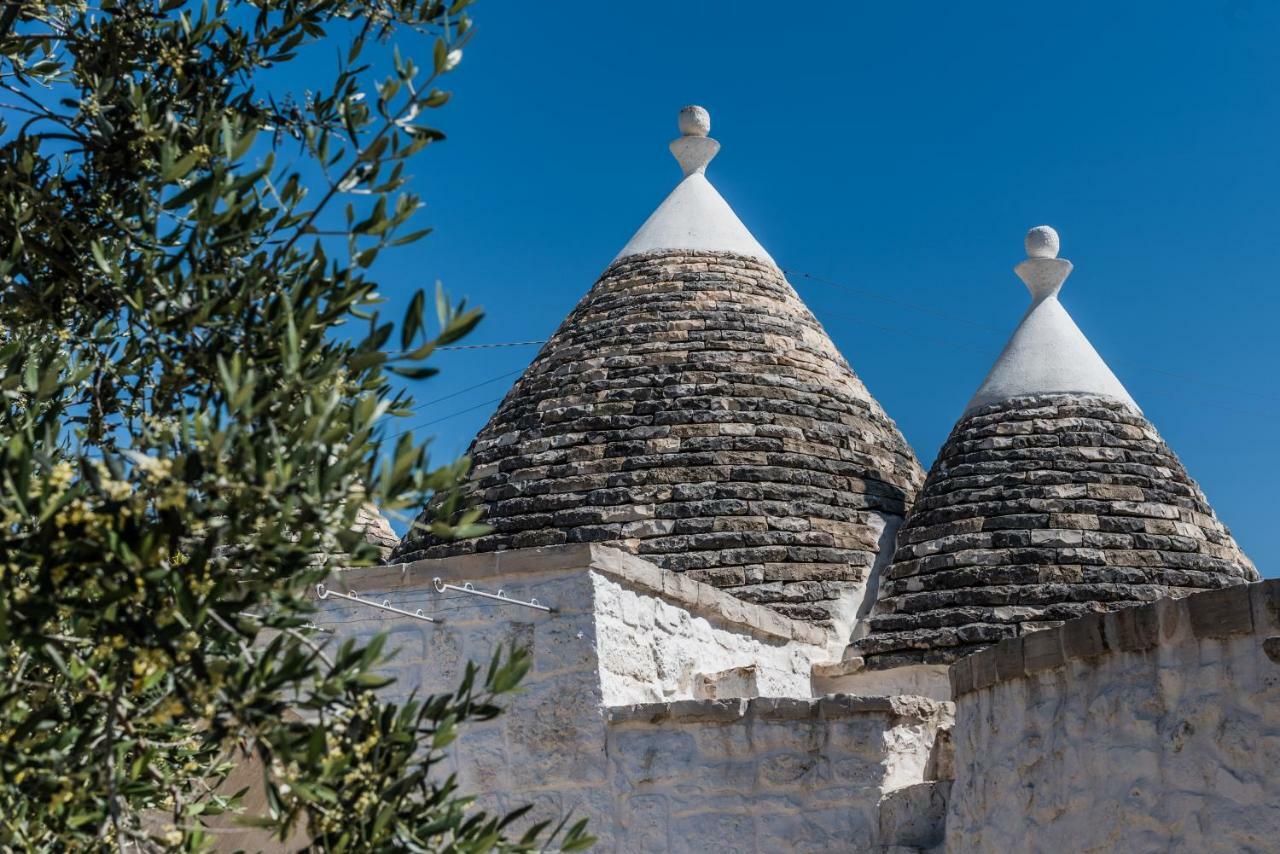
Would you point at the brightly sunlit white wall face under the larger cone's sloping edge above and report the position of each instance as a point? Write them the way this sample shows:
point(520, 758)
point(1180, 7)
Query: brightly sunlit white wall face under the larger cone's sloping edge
point(651, 651)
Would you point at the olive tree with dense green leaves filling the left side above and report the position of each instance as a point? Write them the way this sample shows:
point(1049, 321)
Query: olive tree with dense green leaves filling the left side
point(196, 407)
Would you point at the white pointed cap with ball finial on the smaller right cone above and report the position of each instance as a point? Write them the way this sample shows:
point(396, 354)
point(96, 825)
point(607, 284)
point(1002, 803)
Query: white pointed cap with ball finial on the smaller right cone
point(1048, 353)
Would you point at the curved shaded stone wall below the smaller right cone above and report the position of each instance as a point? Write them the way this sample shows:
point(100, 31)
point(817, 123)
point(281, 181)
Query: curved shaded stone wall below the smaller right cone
point(1153, 729)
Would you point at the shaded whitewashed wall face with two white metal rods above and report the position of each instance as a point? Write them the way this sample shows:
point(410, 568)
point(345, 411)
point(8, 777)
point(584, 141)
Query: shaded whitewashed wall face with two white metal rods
point(548, 747)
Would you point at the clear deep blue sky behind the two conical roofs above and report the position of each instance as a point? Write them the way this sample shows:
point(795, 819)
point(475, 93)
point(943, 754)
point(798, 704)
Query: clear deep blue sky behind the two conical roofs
point(900, 149)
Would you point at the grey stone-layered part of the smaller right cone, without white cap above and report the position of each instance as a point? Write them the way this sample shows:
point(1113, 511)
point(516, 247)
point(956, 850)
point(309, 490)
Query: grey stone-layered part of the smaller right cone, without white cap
point(1040, 510)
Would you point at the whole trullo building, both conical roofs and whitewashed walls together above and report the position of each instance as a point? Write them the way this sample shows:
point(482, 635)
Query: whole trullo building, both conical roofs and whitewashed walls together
point(697, 490)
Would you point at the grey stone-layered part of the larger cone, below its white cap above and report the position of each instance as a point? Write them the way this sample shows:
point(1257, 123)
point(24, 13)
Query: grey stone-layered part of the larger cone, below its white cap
point(693, 412)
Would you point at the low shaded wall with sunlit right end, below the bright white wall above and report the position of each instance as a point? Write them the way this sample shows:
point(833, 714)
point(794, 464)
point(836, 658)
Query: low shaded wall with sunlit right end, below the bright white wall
point(765, 775)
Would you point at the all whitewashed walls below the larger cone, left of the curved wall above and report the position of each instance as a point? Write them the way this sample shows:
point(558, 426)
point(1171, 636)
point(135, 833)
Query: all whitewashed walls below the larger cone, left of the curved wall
point(774, 775)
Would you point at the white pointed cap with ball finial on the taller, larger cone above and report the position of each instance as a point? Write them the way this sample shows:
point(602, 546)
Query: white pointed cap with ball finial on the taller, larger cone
point(694, 217)
